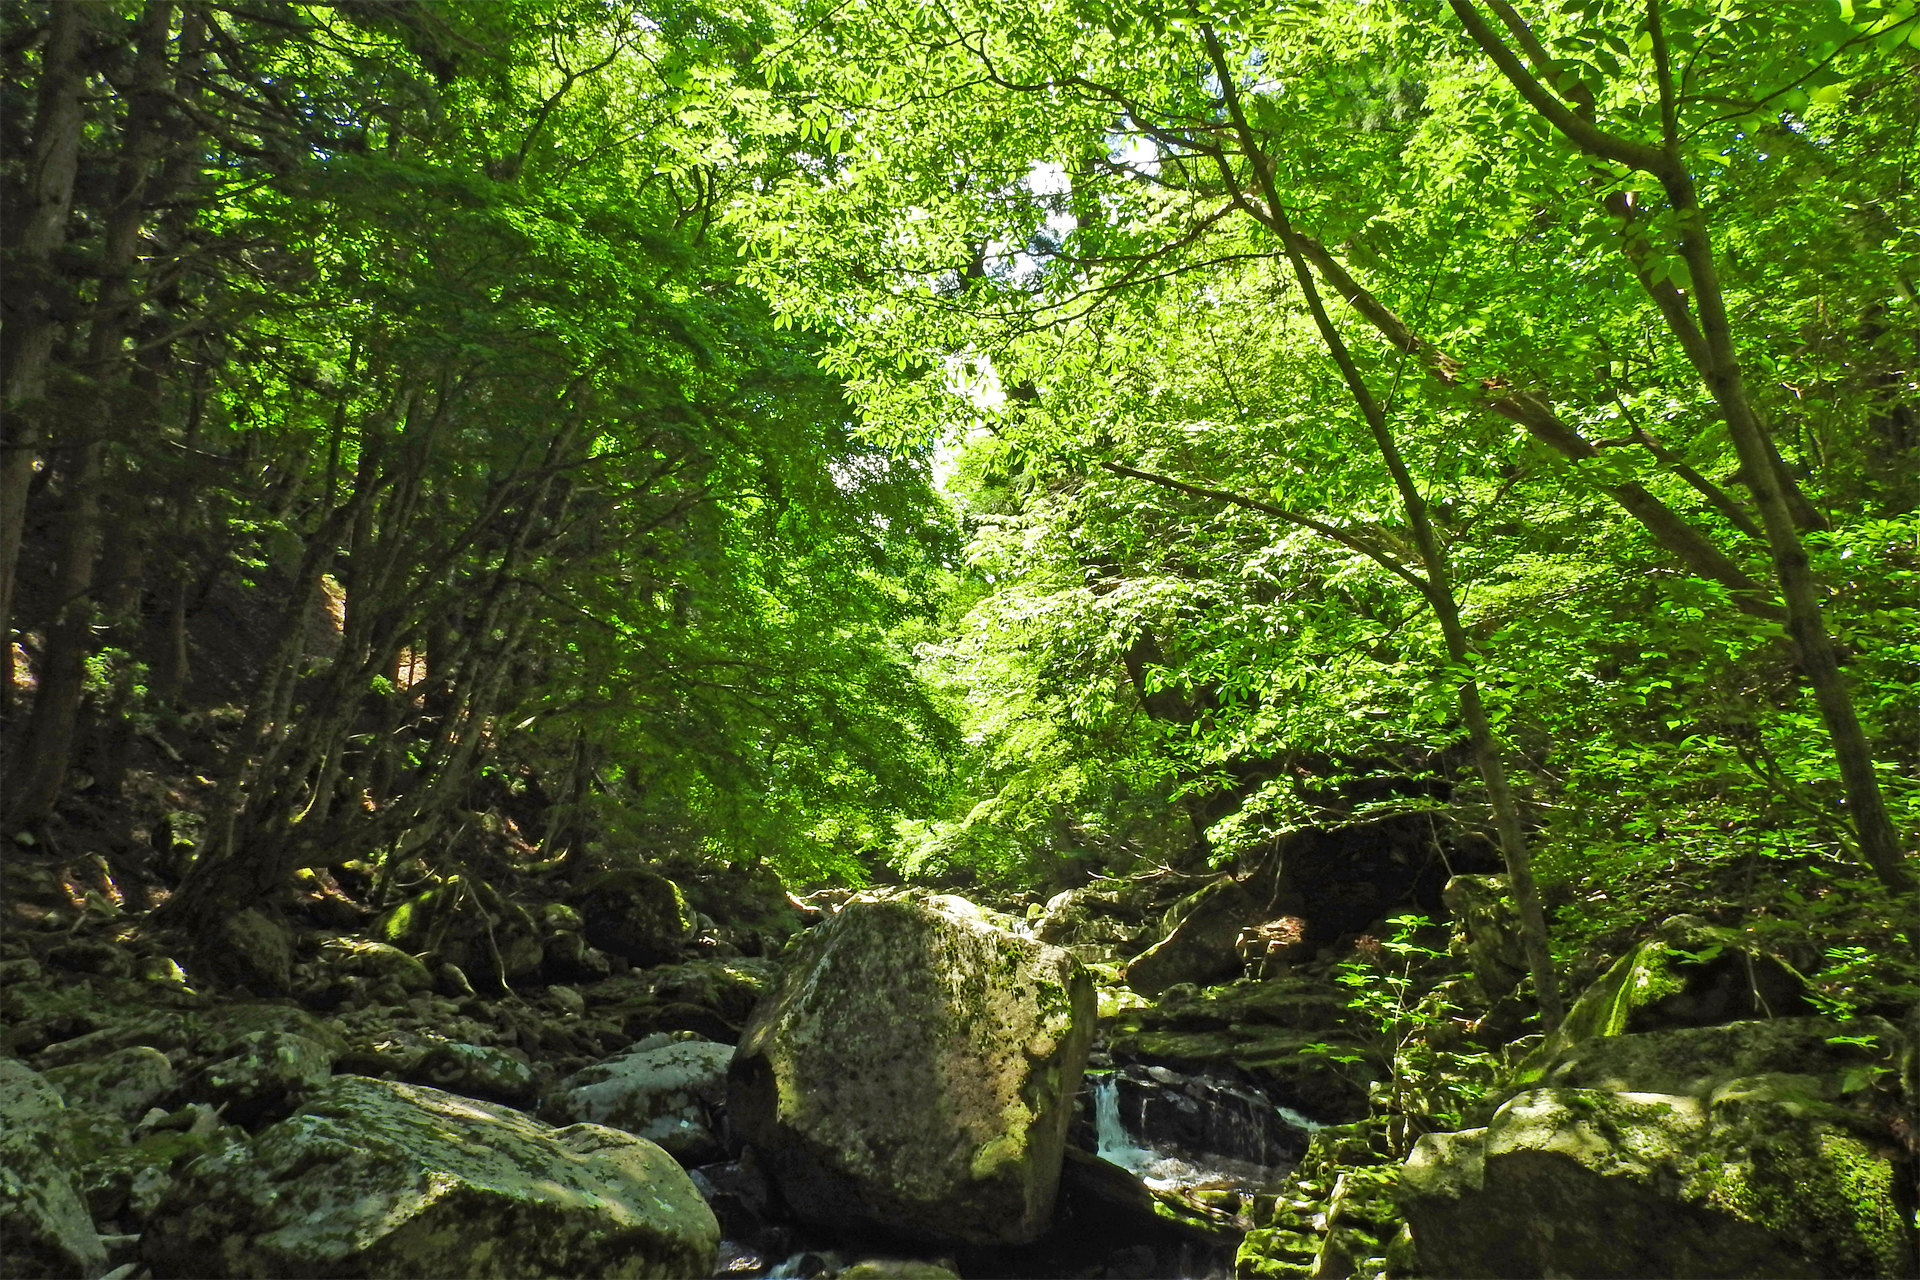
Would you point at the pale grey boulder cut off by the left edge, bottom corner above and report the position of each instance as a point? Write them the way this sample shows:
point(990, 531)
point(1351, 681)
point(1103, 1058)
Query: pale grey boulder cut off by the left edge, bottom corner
point(45, 1229)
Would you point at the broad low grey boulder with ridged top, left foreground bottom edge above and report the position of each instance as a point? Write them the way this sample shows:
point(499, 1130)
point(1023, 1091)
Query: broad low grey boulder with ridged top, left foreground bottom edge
point(400, 1181)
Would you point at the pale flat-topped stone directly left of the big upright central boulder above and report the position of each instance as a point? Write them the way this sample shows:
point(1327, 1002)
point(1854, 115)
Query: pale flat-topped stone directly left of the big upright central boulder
point(661, 1093)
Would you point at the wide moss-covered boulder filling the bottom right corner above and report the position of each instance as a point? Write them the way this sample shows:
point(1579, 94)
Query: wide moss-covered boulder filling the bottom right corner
point(1754, 1154)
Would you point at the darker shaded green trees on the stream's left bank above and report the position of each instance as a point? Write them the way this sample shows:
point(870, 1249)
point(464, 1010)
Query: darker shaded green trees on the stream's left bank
point(433, 325)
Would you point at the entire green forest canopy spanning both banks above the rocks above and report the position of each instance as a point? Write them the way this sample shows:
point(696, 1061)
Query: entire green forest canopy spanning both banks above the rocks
point(1316, 391)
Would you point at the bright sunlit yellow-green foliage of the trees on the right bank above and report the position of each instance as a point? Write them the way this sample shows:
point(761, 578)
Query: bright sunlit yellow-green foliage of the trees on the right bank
point(1040, 239)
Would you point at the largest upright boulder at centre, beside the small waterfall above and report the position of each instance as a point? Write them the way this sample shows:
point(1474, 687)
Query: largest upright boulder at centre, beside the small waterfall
point(915, 1072)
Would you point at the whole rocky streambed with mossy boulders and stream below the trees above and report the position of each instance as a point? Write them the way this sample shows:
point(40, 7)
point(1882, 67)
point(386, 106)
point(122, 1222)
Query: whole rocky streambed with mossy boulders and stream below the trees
point(917, 1087)
